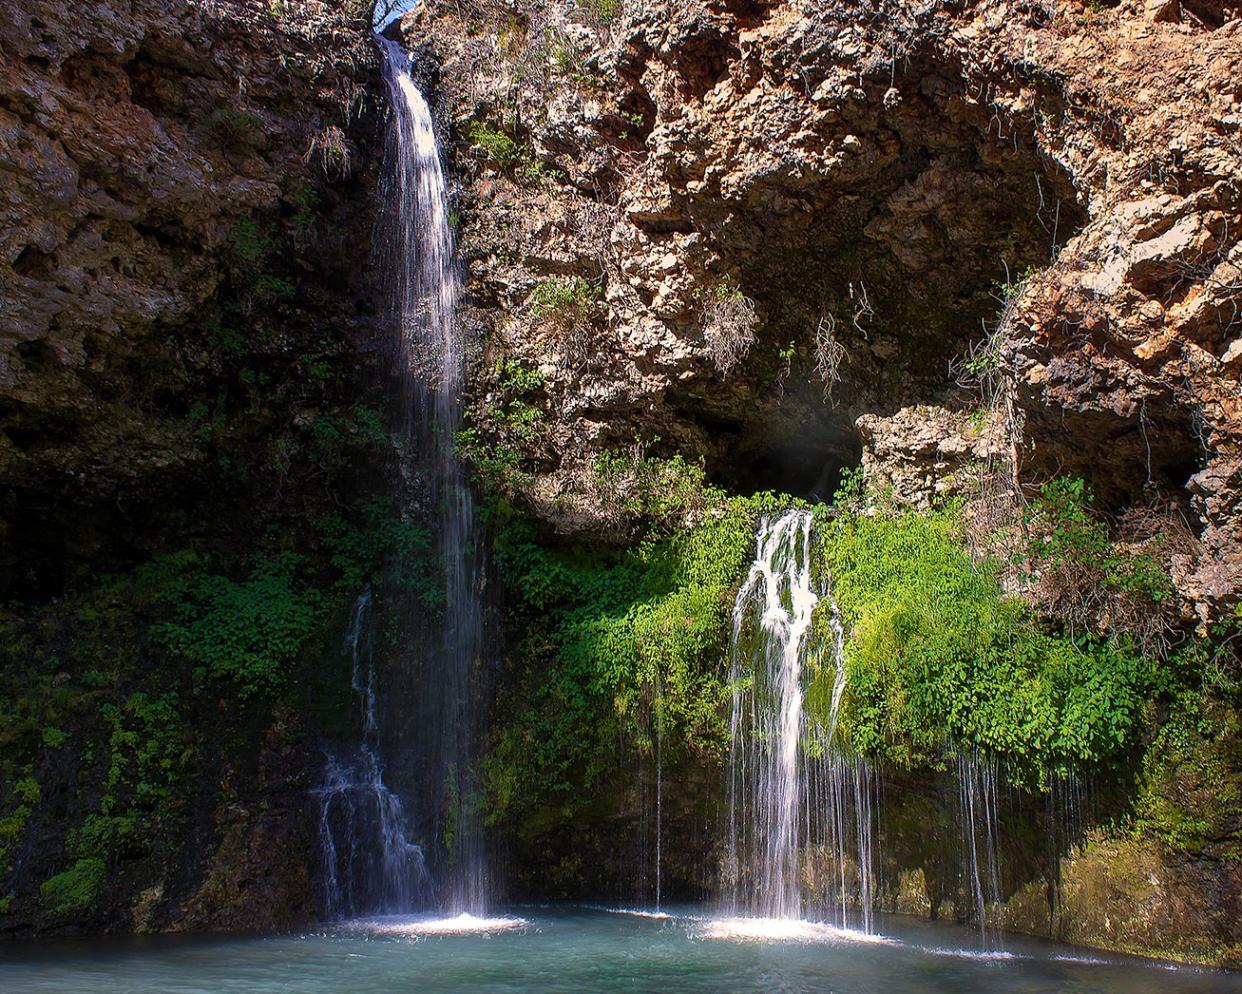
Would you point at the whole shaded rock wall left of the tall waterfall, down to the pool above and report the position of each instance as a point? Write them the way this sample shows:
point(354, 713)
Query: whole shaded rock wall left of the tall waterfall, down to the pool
point(188, 368)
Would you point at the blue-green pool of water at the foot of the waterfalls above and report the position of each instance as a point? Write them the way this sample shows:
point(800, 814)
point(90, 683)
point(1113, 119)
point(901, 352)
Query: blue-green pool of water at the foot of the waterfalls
point(546, 951)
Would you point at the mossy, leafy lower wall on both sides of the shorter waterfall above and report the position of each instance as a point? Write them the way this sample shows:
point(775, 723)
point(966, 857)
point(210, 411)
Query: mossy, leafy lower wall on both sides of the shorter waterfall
point(1110, 759)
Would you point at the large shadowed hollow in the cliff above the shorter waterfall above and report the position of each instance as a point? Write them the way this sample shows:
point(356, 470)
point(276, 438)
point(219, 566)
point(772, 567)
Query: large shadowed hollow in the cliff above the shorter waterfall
point(904, 255)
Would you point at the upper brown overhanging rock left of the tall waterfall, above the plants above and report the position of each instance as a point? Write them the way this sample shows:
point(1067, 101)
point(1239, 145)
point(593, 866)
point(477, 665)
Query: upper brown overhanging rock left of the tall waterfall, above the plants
point(152, 155)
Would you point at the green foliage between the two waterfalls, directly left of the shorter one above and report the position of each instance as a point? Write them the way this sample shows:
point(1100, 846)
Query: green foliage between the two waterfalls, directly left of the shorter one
point(615, 644)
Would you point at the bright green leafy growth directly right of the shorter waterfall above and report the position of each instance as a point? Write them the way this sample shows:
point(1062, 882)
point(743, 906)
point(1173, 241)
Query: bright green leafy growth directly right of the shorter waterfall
point(940, 657)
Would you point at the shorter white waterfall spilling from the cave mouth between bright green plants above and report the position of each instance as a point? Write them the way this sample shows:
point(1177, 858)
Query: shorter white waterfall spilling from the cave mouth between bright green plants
point(796, 805)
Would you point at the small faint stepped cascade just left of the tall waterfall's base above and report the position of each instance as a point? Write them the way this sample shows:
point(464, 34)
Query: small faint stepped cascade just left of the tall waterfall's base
point(369, 864)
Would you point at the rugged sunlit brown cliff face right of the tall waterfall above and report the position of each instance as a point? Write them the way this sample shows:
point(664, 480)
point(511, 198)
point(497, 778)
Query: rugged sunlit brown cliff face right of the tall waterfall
point(896, 183)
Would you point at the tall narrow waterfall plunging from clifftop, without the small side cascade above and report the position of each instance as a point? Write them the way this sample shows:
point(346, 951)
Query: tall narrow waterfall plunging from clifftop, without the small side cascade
point(430, 361)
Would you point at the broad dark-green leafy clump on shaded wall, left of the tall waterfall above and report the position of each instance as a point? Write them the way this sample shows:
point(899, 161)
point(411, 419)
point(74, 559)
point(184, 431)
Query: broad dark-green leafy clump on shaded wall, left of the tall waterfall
point(248, 632)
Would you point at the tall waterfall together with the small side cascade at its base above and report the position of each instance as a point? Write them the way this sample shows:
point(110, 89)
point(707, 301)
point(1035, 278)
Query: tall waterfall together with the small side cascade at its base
point(381, 855)
